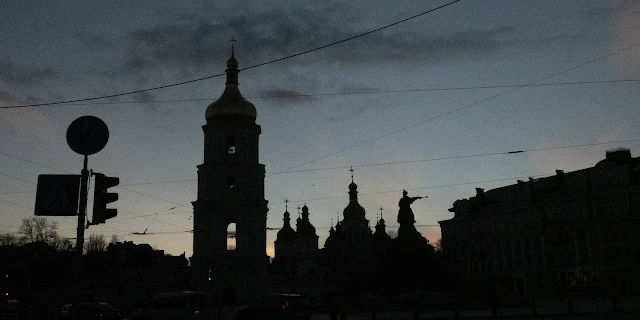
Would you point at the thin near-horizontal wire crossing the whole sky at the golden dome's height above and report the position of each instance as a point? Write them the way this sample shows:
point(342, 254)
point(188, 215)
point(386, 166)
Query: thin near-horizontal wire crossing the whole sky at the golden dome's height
point(353, 93)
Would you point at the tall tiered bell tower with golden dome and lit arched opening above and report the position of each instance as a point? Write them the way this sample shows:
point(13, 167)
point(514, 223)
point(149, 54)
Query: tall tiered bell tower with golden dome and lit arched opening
point(230, 215)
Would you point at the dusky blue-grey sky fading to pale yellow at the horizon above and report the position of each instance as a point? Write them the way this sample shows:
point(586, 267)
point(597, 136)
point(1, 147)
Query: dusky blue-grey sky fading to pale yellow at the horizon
point(360, 103)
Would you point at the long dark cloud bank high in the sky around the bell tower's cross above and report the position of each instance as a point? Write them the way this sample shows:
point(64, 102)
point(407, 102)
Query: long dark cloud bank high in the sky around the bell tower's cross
point(277, 33)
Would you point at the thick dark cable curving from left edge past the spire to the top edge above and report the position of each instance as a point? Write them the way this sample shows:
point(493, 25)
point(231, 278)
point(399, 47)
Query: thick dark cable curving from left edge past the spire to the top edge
point(242, 69)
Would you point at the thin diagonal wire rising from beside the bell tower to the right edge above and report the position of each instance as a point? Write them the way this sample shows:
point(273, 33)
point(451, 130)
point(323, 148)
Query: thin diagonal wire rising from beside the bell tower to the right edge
point(459, 109)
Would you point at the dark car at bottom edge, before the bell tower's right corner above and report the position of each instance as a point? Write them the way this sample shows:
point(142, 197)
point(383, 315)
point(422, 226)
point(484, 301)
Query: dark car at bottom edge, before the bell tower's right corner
point(277, 306)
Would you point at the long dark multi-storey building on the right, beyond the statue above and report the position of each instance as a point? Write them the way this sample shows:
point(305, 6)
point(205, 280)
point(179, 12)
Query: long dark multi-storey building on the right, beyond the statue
point(573, 231)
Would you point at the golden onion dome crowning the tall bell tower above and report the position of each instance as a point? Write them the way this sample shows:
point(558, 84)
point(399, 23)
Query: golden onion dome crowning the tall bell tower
point(231, 105)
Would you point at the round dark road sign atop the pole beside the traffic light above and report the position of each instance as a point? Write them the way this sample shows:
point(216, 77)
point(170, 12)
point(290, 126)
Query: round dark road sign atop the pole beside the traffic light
point(87, 135)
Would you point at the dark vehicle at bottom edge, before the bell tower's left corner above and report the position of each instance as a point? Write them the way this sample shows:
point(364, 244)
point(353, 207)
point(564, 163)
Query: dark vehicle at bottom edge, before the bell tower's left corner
point(184, 305)
